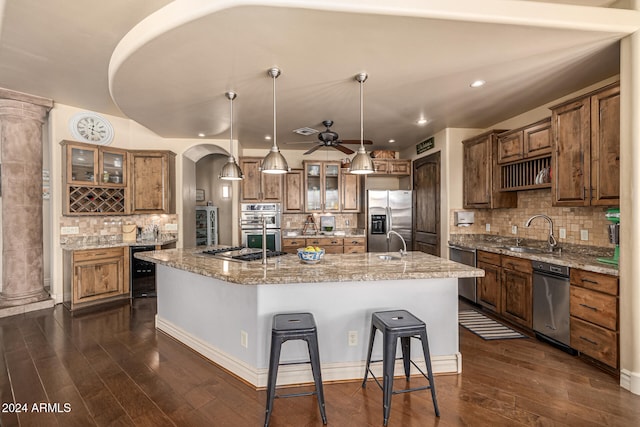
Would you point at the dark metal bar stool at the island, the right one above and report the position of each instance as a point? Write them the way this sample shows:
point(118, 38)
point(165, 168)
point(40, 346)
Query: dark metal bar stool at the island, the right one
point(396, 324)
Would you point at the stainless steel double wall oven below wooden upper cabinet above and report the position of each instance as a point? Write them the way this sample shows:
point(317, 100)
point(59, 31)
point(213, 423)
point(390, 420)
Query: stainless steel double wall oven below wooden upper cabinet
point(251, 215)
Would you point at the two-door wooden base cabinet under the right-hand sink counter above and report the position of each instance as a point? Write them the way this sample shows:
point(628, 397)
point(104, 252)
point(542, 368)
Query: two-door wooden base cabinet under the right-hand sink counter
point(506, 287)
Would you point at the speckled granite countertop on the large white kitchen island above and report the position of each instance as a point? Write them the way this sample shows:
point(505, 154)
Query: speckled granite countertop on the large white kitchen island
point(332, 268)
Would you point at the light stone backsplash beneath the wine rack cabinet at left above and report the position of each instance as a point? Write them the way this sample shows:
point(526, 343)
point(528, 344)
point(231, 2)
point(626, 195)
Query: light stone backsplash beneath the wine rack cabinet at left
point(109, 228)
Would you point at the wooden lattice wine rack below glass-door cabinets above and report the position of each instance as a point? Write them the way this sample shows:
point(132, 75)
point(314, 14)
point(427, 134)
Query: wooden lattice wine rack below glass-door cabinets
point(96, 200)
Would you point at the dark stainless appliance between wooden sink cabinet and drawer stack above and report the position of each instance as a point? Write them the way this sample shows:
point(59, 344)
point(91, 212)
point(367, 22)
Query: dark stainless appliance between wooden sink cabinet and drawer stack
point(551, 297)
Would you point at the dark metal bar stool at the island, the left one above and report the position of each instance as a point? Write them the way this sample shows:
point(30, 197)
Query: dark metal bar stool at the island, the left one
point(294, 326)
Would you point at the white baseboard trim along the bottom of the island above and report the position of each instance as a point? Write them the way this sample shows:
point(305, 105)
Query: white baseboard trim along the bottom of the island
point(297, 374)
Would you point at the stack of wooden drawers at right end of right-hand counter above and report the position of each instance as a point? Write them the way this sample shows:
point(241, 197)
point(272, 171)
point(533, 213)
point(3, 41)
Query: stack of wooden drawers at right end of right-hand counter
point(594, 316)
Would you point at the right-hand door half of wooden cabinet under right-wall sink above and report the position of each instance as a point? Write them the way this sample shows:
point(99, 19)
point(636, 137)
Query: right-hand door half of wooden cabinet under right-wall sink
point(517, 291)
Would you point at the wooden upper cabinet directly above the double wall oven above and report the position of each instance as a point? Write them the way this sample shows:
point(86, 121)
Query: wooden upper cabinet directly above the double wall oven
point(257, 186)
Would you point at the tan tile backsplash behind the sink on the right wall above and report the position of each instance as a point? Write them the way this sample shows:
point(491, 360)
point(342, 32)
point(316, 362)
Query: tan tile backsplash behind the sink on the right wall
point(572, 219)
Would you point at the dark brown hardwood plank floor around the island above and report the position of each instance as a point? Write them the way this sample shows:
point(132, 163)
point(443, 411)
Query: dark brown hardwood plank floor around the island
point(111, 367)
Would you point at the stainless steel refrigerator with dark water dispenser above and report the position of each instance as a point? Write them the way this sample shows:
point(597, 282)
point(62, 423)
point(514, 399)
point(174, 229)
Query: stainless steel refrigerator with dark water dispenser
point(389, 210)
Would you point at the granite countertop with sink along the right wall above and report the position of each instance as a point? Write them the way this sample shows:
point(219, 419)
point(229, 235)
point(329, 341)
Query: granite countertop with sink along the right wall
point(573, 256)
